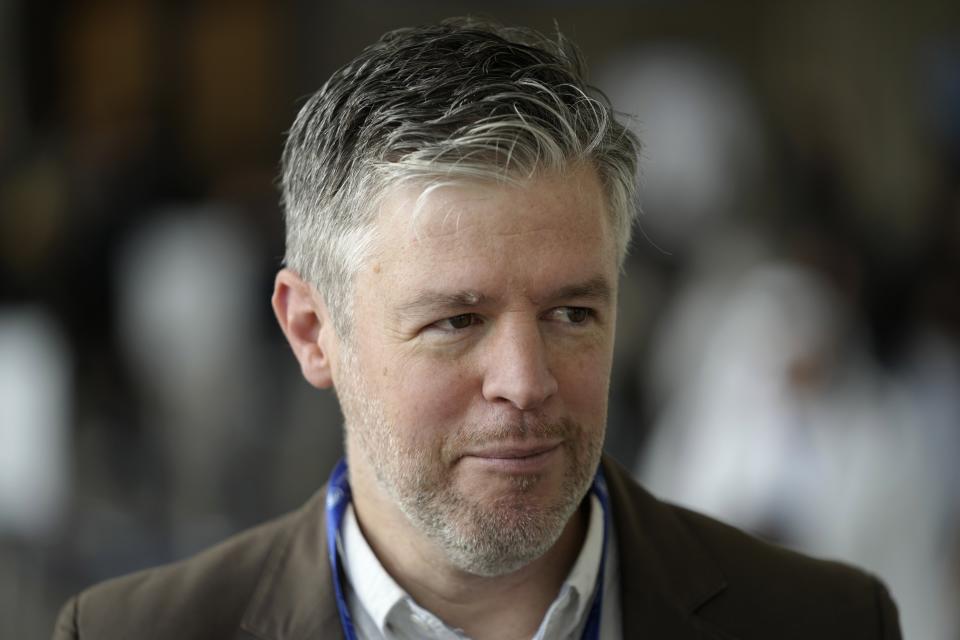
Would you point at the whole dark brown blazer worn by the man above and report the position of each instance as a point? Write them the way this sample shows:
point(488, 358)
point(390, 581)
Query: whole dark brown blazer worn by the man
point(682, 576)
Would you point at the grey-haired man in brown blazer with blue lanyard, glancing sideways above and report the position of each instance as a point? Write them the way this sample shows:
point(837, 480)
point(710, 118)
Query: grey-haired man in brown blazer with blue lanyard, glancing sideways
point(458, 207)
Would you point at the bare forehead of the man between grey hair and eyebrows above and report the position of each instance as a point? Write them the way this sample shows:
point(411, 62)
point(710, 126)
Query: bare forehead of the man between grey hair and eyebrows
point(539, 235)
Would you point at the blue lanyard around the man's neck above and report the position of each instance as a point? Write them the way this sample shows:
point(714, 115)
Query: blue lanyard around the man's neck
point(339, 496)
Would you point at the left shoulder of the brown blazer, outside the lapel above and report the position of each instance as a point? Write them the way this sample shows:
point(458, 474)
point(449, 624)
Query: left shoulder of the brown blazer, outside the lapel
point(203, 596)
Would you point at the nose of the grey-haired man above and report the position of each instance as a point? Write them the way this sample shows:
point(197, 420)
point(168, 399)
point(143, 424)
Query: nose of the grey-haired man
point(517, 366)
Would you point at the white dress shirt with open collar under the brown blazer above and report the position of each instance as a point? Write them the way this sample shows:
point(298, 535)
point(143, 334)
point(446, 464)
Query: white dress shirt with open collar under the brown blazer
point(382, 610)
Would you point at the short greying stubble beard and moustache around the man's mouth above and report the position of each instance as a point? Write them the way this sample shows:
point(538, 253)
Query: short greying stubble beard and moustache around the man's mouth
point(485, 538)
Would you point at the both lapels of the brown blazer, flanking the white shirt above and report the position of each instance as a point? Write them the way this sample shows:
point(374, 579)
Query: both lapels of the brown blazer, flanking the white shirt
point(665, 573)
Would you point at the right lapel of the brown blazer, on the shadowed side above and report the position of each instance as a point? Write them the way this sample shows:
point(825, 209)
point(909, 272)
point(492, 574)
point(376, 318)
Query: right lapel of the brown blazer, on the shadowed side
point(665, 574)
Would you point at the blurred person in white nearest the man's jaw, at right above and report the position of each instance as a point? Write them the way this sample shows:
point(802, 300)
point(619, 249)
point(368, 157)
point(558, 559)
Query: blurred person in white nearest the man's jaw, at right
point(729, 419)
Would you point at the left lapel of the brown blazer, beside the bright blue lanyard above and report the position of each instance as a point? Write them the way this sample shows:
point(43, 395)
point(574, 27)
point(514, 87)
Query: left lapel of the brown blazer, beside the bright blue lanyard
point(294, 598)
